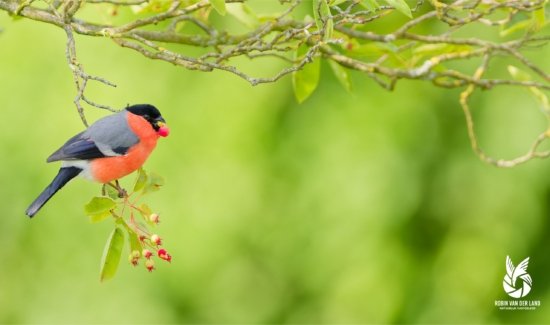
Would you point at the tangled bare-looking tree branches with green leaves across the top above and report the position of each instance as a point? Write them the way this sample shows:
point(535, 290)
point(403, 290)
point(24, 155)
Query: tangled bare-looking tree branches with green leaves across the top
point(341, 33)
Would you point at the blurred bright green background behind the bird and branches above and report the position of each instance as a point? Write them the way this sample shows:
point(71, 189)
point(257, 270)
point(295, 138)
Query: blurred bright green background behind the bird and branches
point(367, 207)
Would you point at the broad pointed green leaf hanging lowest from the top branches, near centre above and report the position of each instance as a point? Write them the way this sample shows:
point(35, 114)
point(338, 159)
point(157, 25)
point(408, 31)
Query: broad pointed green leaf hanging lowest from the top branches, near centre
point(305, 81)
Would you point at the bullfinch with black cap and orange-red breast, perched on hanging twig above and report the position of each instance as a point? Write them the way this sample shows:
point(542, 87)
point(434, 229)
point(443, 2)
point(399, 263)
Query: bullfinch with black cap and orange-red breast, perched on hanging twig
point(111, 148)
